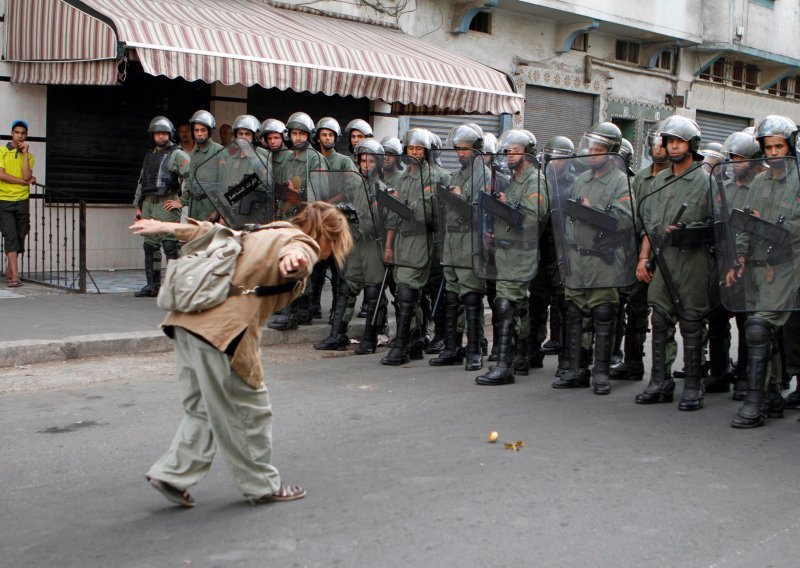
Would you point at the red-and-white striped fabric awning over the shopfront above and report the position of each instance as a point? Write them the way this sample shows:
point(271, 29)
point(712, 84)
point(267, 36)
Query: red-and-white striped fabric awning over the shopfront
point(247, 42)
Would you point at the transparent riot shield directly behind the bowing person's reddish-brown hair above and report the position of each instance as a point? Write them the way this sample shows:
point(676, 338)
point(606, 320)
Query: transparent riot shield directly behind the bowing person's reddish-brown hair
point(353, 195)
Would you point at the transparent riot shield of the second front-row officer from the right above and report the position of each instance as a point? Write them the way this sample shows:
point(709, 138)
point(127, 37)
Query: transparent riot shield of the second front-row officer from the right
point(677, 217)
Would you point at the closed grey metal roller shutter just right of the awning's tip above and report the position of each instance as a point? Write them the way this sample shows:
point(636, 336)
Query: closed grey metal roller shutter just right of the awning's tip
point(556, 112)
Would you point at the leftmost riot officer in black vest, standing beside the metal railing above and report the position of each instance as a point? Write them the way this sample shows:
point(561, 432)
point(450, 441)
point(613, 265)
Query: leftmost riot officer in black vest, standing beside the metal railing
point(159, 183)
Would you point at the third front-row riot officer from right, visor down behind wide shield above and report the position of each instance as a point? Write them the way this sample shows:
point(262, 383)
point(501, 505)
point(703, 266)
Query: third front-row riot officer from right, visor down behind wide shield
point(599, 241)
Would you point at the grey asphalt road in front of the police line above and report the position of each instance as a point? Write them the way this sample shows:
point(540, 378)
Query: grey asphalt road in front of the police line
point(398, 472)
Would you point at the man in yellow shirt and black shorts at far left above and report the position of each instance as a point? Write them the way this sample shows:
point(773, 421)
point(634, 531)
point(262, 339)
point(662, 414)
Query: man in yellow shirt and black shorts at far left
point(16, 175)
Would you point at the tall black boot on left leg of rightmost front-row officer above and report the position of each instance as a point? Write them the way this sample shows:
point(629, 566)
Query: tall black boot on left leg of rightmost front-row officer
point(758, 333)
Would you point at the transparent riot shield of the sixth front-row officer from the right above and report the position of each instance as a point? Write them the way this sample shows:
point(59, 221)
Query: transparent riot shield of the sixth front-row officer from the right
point(405, 213)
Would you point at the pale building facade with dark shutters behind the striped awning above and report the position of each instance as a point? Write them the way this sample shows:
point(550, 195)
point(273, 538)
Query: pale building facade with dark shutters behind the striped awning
point(724, 63)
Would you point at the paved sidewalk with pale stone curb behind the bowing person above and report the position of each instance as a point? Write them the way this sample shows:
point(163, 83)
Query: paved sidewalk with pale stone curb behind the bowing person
point(39, 324)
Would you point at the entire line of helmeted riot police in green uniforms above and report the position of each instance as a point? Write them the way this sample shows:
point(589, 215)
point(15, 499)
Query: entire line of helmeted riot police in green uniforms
point(705, 234)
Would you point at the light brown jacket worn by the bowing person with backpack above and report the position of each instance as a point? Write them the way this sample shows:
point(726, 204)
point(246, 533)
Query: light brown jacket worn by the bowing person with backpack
point(235, 325)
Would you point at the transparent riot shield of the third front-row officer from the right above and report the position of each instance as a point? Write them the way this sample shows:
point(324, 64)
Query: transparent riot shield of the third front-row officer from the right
point(591, 211)
